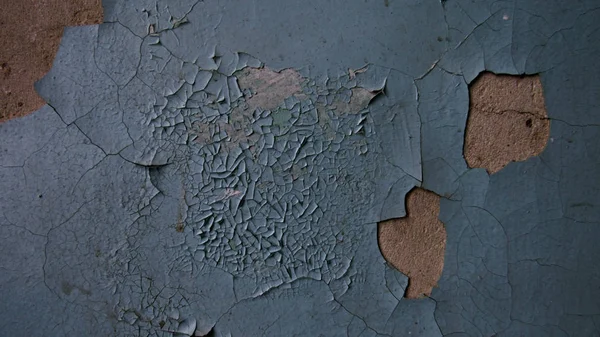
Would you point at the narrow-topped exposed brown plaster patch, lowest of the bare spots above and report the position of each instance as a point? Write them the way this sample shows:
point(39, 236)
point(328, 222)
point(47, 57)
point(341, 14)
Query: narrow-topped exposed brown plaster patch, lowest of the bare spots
point(415, 244)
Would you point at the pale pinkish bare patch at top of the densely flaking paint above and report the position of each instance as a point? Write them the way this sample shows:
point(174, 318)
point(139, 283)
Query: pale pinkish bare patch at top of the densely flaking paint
point(269, 88)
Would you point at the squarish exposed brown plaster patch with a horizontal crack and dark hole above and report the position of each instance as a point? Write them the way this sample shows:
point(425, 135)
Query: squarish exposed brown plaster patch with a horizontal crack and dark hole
point(507, 121)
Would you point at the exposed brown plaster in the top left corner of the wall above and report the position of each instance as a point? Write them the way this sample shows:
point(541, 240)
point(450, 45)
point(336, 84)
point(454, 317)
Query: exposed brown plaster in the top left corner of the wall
point(30, 31)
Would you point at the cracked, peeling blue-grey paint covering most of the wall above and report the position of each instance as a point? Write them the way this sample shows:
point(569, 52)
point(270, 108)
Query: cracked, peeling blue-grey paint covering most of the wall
point(157, 195)
